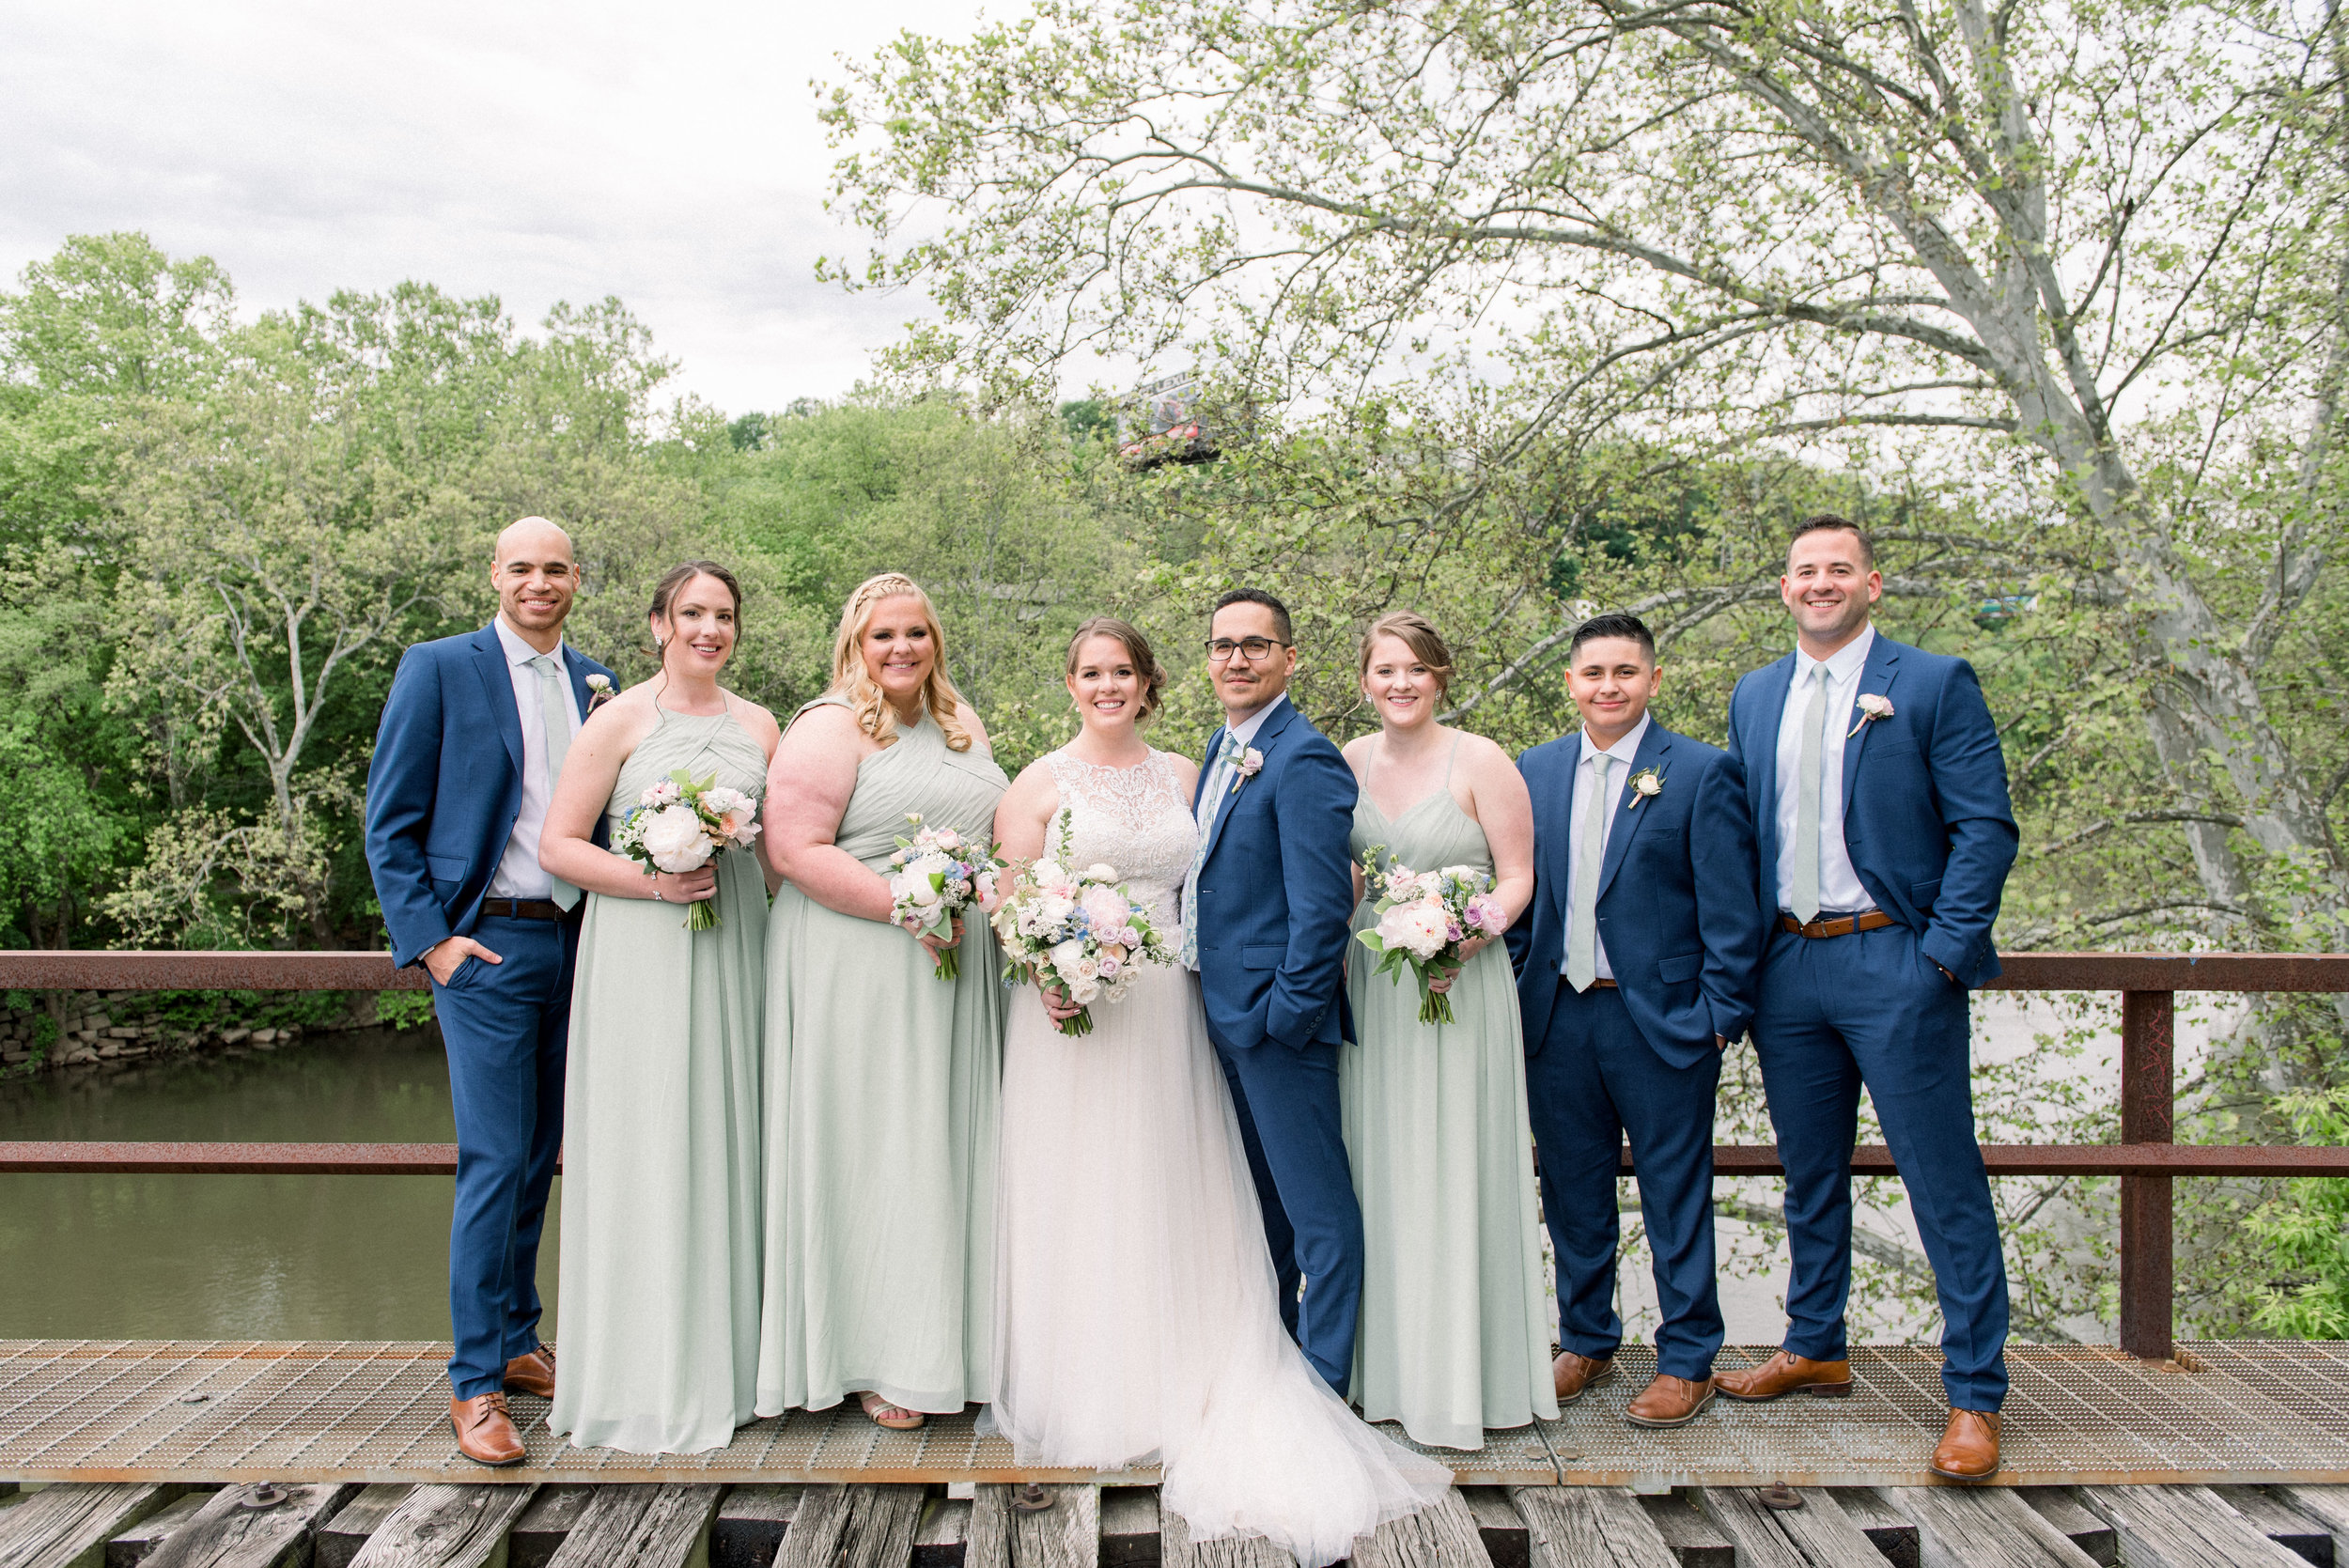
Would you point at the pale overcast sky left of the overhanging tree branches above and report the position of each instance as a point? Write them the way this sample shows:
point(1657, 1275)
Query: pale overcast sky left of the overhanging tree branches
point(661, 154)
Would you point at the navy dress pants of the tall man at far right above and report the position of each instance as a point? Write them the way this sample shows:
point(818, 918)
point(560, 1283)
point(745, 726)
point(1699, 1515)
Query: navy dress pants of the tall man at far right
point(1831, 1018)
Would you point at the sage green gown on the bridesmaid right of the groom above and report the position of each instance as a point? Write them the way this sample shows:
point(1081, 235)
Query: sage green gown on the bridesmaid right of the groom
point(1455, 1327)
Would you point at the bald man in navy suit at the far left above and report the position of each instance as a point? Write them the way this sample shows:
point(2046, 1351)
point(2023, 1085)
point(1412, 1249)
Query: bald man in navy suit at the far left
point(466, 759)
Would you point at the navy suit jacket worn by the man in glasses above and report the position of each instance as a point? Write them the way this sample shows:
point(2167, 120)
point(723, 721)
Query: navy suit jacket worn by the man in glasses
point(1277, 893)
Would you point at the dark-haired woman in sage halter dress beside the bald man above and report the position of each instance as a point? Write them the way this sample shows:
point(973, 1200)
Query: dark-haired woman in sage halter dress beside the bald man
point(661, 1100)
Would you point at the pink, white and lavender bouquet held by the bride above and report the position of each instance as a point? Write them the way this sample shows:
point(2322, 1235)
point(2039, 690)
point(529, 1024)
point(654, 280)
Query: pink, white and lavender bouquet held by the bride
point(1079, 931)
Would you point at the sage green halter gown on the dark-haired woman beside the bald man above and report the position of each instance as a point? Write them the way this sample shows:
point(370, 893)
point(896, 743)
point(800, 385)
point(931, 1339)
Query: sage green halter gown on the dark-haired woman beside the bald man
point(661, 1142)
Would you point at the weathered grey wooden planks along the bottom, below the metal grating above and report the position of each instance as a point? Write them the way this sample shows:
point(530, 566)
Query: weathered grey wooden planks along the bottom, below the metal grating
point(1089, 1527)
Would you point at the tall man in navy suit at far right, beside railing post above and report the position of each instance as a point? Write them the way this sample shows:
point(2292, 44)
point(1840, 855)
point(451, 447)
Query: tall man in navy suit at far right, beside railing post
point(1885, 830)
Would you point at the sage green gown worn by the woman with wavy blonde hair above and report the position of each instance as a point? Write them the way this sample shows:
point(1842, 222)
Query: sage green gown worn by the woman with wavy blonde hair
point(882, 1121)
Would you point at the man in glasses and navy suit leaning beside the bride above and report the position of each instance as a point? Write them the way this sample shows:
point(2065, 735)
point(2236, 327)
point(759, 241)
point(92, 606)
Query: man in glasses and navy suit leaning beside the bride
point(1265, 926)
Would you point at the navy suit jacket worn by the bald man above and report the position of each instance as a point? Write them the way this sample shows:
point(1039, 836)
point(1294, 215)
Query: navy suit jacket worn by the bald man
point(445, 785)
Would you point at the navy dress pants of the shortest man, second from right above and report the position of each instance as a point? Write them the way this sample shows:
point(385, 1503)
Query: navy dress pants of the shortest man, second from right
point(1591, 1086)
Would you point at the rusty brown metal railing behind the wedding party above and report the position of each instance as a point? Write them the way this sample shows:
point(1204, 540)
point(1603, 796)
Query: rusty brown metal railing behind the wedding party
point(2146, 1158)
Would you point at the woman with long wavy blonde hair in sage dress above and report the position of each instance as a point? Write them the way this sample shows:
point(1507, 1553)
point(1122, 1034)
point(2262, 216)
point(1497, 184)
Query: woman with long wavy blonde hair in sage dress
point(882, 1076)
